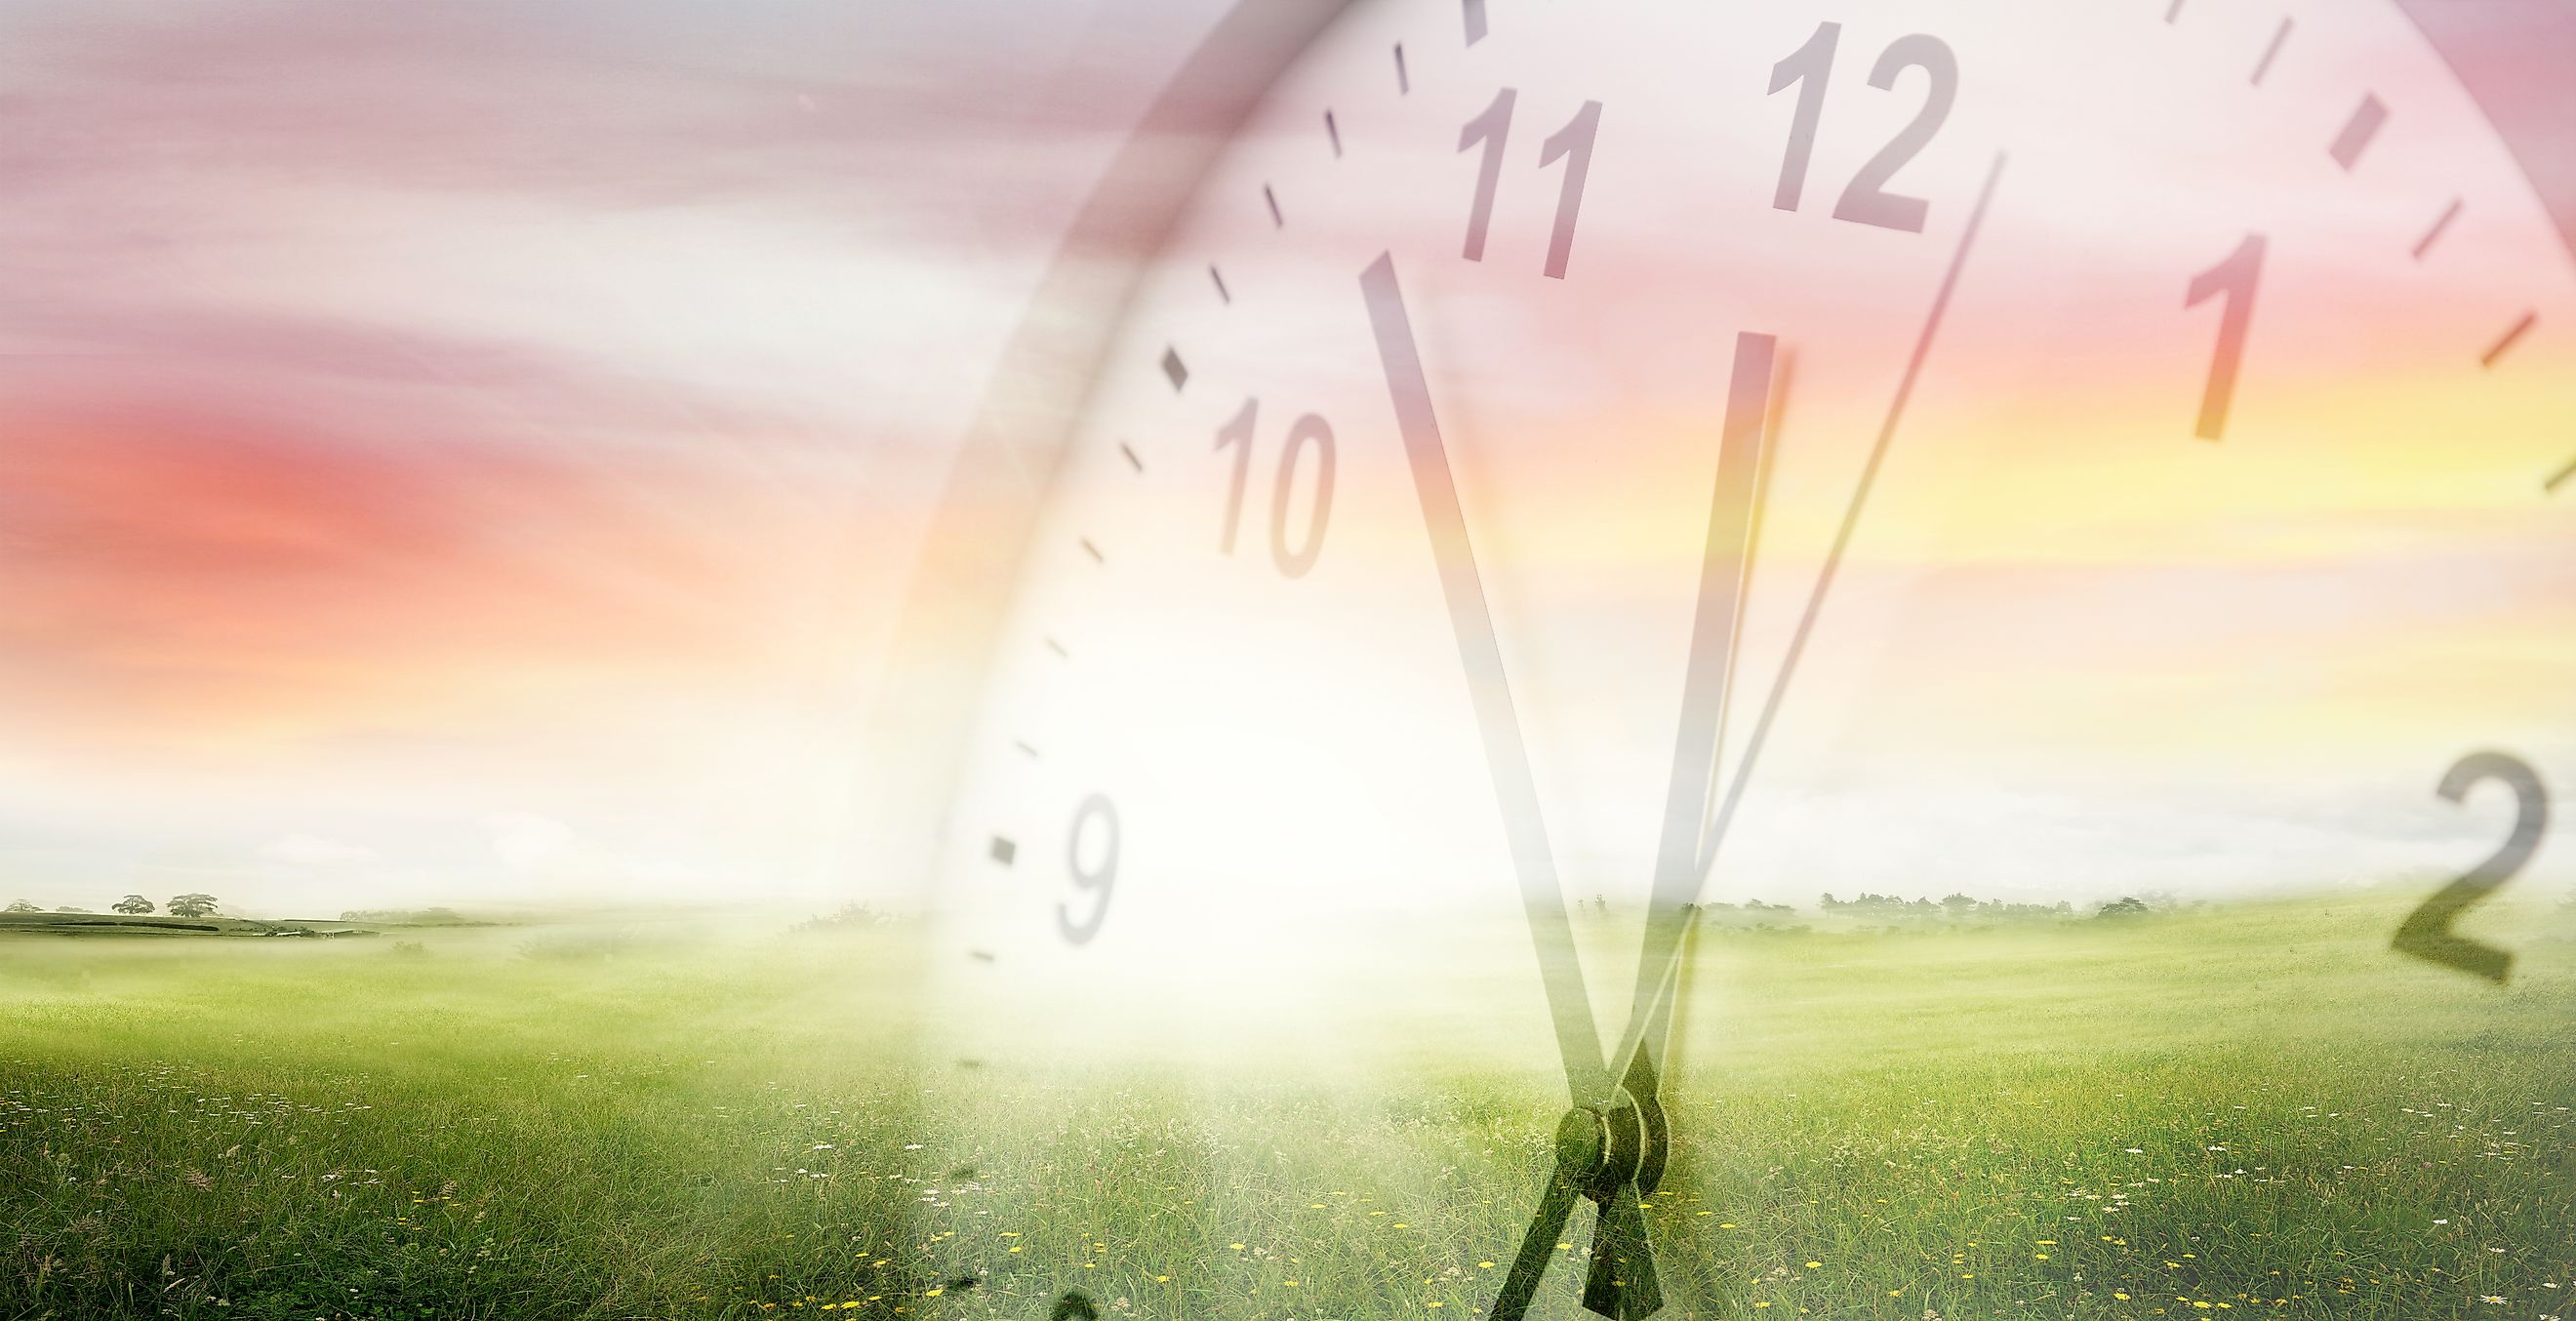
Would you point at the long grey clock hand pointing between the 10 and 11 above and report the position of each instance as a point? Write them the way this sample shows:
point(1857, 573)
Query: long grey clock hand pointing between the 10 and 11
point(1506, 756)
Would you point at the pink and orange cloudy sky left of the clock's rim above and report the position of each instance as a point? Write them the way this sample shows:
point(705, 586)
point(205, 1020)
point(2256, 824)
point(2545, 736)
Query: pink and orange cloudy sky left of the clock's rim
point(473, 452)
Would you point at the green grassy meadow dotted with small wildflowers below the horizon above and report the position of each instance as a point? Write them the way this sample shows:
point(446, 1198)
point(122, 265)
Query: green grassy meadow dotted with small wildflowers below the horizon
point(2209, 1114)
